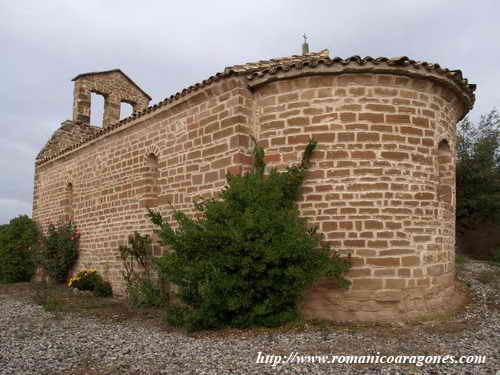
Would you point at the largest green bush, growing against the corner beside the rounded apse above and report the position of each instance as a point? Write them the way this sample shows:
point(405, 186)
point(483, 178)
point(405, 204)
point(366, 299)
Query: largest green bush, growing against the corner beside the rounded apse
point(248, 258)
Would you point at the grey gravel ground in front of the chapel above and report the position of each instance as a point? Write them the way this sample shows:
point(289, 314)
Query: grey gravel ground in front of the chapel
point(33, 341)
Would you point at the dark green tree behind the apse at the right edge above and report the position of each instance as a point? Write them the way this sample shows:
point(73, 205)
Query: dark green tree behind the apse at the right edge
point(478, 171)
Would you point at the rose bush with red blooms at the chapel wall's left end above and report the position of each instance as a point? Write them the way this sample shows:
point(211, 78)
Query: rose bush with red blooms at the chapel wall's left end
point(59, 250)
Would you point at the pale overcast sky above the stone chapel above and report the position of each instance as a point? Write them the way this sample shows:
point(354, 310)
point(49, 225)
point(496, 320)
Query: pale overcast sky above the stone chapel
point(166, 46)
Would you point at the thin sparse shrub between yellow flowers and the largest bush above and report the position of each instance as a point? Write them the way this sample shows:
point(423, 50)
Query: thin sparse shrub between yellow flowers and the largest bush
point(142, 289)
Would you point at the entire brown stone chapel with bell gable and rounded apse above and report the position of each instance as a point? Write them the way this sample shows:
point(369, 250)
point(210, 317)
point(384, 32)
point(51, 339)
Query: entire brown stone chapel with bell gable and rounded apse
point(381, 186)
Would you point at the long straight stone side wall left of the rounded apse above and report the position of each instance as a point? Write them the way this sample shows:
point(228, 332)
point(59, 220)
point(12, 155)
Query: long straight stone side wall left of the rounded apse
point(195, 141)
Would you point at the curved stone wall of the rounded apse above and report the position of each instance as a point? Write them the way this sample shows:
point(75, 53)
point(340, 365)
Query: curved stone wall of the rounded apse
point(375, 185)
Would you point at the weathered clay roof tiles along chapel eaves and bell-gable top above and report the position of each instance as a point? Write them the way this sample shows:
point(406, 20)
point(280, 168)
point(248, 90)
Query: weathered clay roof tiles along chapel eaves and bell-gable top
point(261, 69)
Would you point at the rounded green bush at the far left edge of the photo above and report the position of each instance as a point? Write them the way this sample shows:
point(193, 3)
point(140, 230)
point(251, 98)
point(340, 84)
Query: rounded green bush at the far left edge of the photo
point(18, 241)
